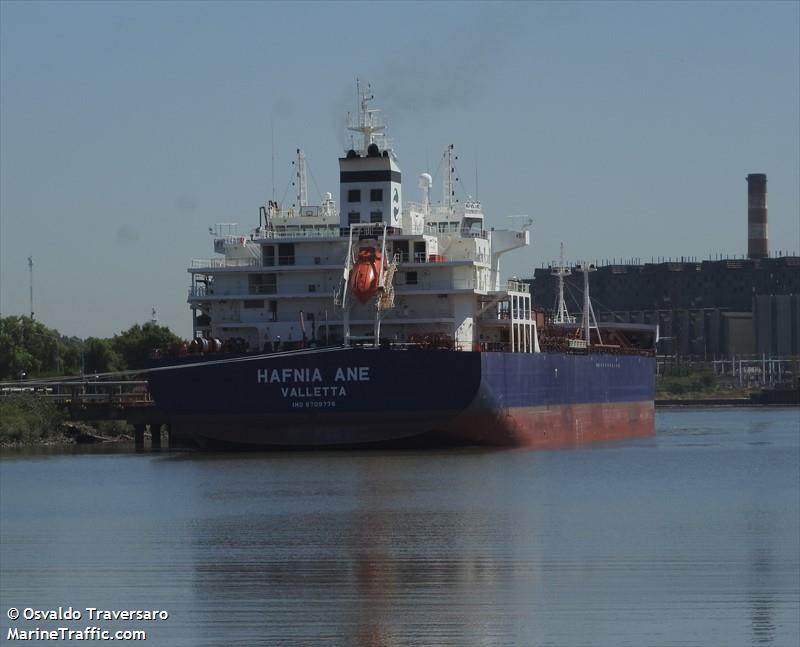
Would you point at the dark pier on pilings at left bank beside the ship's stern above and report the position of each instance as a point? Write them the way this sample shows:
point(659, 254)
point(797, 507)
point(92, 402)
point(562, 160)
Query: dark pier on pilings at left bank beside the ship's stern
point(86, 399)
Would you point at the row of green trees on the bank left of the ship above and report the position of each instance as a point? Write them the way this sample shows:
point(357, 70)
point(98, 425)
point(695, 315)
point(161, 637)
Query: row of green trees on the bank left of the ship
point(29, 349)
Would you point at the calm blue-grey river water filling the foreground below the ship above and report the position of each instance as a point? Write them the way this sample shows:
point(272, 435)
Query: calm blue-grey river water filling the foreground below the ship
point(688, 538)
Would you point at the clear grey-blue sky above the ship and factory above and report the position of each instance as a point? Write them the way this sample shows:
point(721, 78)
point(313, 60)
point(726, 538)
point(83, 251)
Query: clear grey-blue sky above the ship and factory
point(623, 129)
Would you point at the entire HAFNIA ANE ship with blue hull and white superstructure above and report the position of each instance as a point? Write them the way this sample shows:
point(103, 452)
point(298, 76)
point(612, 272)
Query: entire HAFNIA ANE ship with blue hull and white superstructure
point(386, 322)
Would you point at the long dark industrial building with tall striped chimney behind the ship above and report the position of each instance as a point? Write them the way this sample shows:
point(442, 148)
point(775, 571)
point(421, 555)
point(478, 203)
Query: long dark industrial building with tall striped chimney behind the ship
point(705, 309)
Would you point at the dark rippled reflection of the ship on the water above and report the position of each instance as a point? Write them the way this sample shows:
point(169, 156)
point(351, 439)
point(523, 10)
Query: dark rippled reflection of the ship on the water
point(367, 552)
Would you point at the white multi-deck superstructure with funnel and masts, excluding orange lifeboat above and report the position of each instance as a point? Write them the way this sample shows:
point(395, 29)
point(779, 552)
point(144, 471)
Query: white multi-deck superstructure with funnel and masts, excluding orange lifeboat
point(285, 283)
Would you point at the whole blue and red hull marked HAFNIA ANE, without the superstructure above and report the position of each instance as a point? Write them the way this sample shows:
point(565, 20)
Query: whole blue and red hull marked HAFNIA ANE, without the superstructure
point(350, 397)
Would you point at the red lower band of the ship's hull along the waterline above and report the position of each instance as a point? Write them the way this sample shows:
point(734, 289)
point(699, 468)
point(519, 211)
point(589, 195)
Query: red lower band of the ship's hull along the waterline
point(543, 427)
